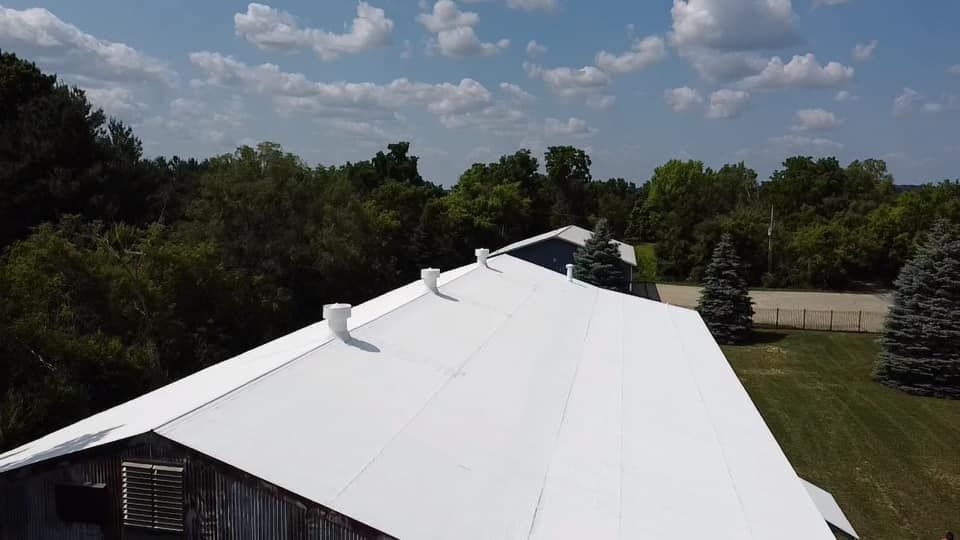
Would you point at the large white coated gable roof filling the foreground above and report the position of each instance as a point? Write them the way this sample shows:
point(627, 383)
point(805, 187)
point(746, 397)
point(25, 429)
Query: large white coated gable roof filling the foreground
point(515, 404)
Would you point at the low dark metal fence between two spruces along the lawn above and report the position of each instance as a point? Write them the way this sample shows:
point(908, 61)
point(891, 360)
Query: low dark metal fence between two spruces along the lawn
point(815, 319)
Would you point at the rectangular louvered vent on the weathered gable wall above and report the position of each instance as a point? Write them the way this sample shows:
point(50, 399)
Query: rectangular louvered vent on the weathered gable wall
point(153, 496)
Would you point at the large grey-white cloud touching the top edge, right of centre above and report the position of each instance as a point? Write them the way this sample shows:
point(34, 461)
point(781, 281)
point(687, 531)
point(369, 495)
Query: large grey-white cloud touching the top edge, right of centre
point(733, 25)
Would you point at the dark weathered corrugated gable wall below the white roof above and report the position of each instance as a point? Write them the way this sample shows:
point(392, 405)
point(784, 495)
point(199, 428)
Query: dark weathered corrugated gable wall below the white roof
point(220, 502)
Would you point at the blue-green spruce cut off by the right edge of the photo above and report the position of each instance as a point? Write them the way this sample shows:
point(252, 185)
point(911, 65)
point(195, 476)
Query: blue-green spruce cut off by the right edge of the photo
point(921, 340)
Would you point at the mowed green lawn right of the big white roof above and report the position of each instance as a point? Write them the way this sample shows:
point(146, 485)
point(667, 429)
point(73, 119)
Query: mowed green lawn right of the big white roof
point(891, 460)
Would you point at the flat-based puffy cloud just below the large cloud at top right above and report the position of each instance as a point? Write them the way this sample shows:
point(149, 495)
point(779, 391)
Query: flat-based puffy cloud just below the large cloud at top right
point(800, 72)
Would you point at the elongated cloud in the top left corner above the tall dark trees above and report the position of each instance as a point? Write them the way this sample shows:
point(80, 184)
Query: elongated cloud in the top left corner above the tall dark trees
point(64, 48)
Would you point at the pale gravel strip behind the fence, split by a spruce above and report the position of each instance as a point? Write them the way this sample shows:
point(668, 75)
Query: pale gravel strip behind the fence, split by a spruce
point(685, 296)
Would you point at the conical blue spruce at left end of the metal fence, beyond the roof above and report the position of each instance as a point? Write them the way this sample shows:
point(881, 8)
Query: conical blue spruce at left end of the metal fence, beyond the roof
point(725, 303)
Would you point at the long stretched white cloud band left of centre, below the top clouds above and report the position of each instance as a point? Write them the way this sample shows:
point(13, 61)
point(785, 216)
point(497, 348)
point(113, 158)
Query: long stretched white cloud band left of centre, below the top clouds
point(294, 92)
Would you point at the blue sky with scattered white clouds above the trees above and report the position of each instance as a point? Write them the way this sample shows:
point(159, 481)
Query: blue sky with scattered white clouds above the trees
point(635, 82)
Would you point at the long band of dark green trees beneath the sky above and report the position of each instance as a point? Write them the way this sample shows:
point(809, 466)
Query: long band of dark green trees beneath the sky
point(120, 273)
